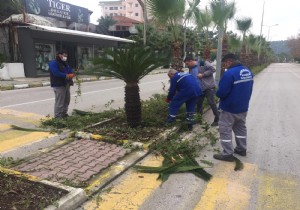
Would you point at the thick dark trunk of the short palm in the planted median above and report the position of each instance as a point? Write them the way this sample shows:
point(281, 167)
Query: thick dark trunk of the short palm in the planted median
point(133, 104)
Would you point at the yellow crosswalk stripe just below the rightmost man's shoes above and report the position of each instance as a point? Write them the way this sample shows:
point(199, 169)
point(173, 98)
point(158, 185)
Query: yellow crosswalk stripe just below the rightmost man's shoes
point(228, 189)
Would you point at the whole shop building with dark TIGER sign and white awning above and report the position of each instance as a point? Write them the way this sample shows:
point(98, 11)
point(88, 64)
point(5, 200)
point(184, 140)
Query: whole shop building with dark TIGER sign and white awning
point(34, 38)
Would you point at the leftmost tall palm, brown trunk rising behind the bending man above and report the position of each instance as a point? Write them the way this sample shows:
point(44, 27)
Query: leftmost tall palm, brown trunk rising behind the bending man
point(173, 14)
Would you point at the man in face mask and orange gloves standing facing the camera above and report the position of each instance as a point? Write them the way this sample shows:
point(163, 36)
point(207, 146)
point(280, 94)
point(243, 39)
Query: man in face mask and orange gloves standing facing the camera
point(61, 78)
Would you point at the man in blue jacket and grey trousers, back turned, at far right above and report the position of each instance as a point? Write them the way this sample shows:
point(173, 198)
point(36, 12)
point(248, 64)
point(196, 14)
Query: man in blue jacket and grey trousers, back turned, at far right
point(234, 91)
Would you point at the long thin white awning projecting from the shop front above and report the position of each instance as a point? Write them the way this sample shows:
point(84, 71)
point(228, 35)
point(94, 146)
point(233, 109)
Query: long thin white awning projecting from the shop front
point(77, 33)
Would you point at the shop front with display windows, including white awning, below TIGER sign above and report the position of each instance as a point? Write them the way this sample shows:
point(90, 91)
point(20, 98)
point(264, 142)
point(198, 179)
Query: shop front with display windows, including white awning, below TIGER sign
point(38, 45)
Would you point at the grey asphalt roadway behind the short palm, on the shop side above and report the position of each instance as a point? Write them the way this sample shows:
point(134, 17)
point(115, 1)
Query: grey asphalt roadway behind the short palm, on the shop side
point(95, 96)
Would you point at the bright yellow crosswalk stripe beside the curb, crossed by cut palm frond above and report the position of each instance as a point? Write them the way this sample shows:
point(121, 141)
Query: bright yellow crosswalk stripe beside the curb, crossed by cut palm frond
point(130, 193)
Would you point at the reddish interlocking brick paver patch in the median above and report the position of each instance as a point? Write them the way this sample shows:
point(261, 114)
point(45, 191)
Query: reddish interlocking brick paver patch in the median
point(77, 161)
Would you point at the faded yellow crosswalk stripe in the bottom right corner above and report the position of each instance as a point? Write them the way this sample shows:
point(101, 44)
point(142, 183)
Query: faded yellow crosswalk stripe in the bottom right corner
point(278, 192)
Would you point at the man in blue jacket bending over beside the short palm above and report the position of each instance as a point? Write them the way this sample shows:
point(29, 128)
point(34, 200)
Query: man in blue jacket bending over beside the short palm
point(184, 88)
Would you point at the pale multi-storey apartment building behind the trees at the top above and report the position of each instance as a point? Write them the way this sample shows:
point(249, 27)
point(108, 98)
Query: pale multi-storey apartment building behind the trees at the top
point(127, 8)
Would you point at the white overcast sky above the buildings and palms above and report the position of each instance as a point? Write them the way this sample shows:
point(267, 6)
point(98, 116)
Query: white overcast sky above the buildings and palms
point(281, 17)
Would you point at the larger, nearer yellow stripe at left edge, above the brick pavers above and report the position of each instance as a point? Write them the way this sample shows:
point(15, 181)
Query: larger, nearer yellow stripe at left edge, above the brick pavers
point(13, 139)
